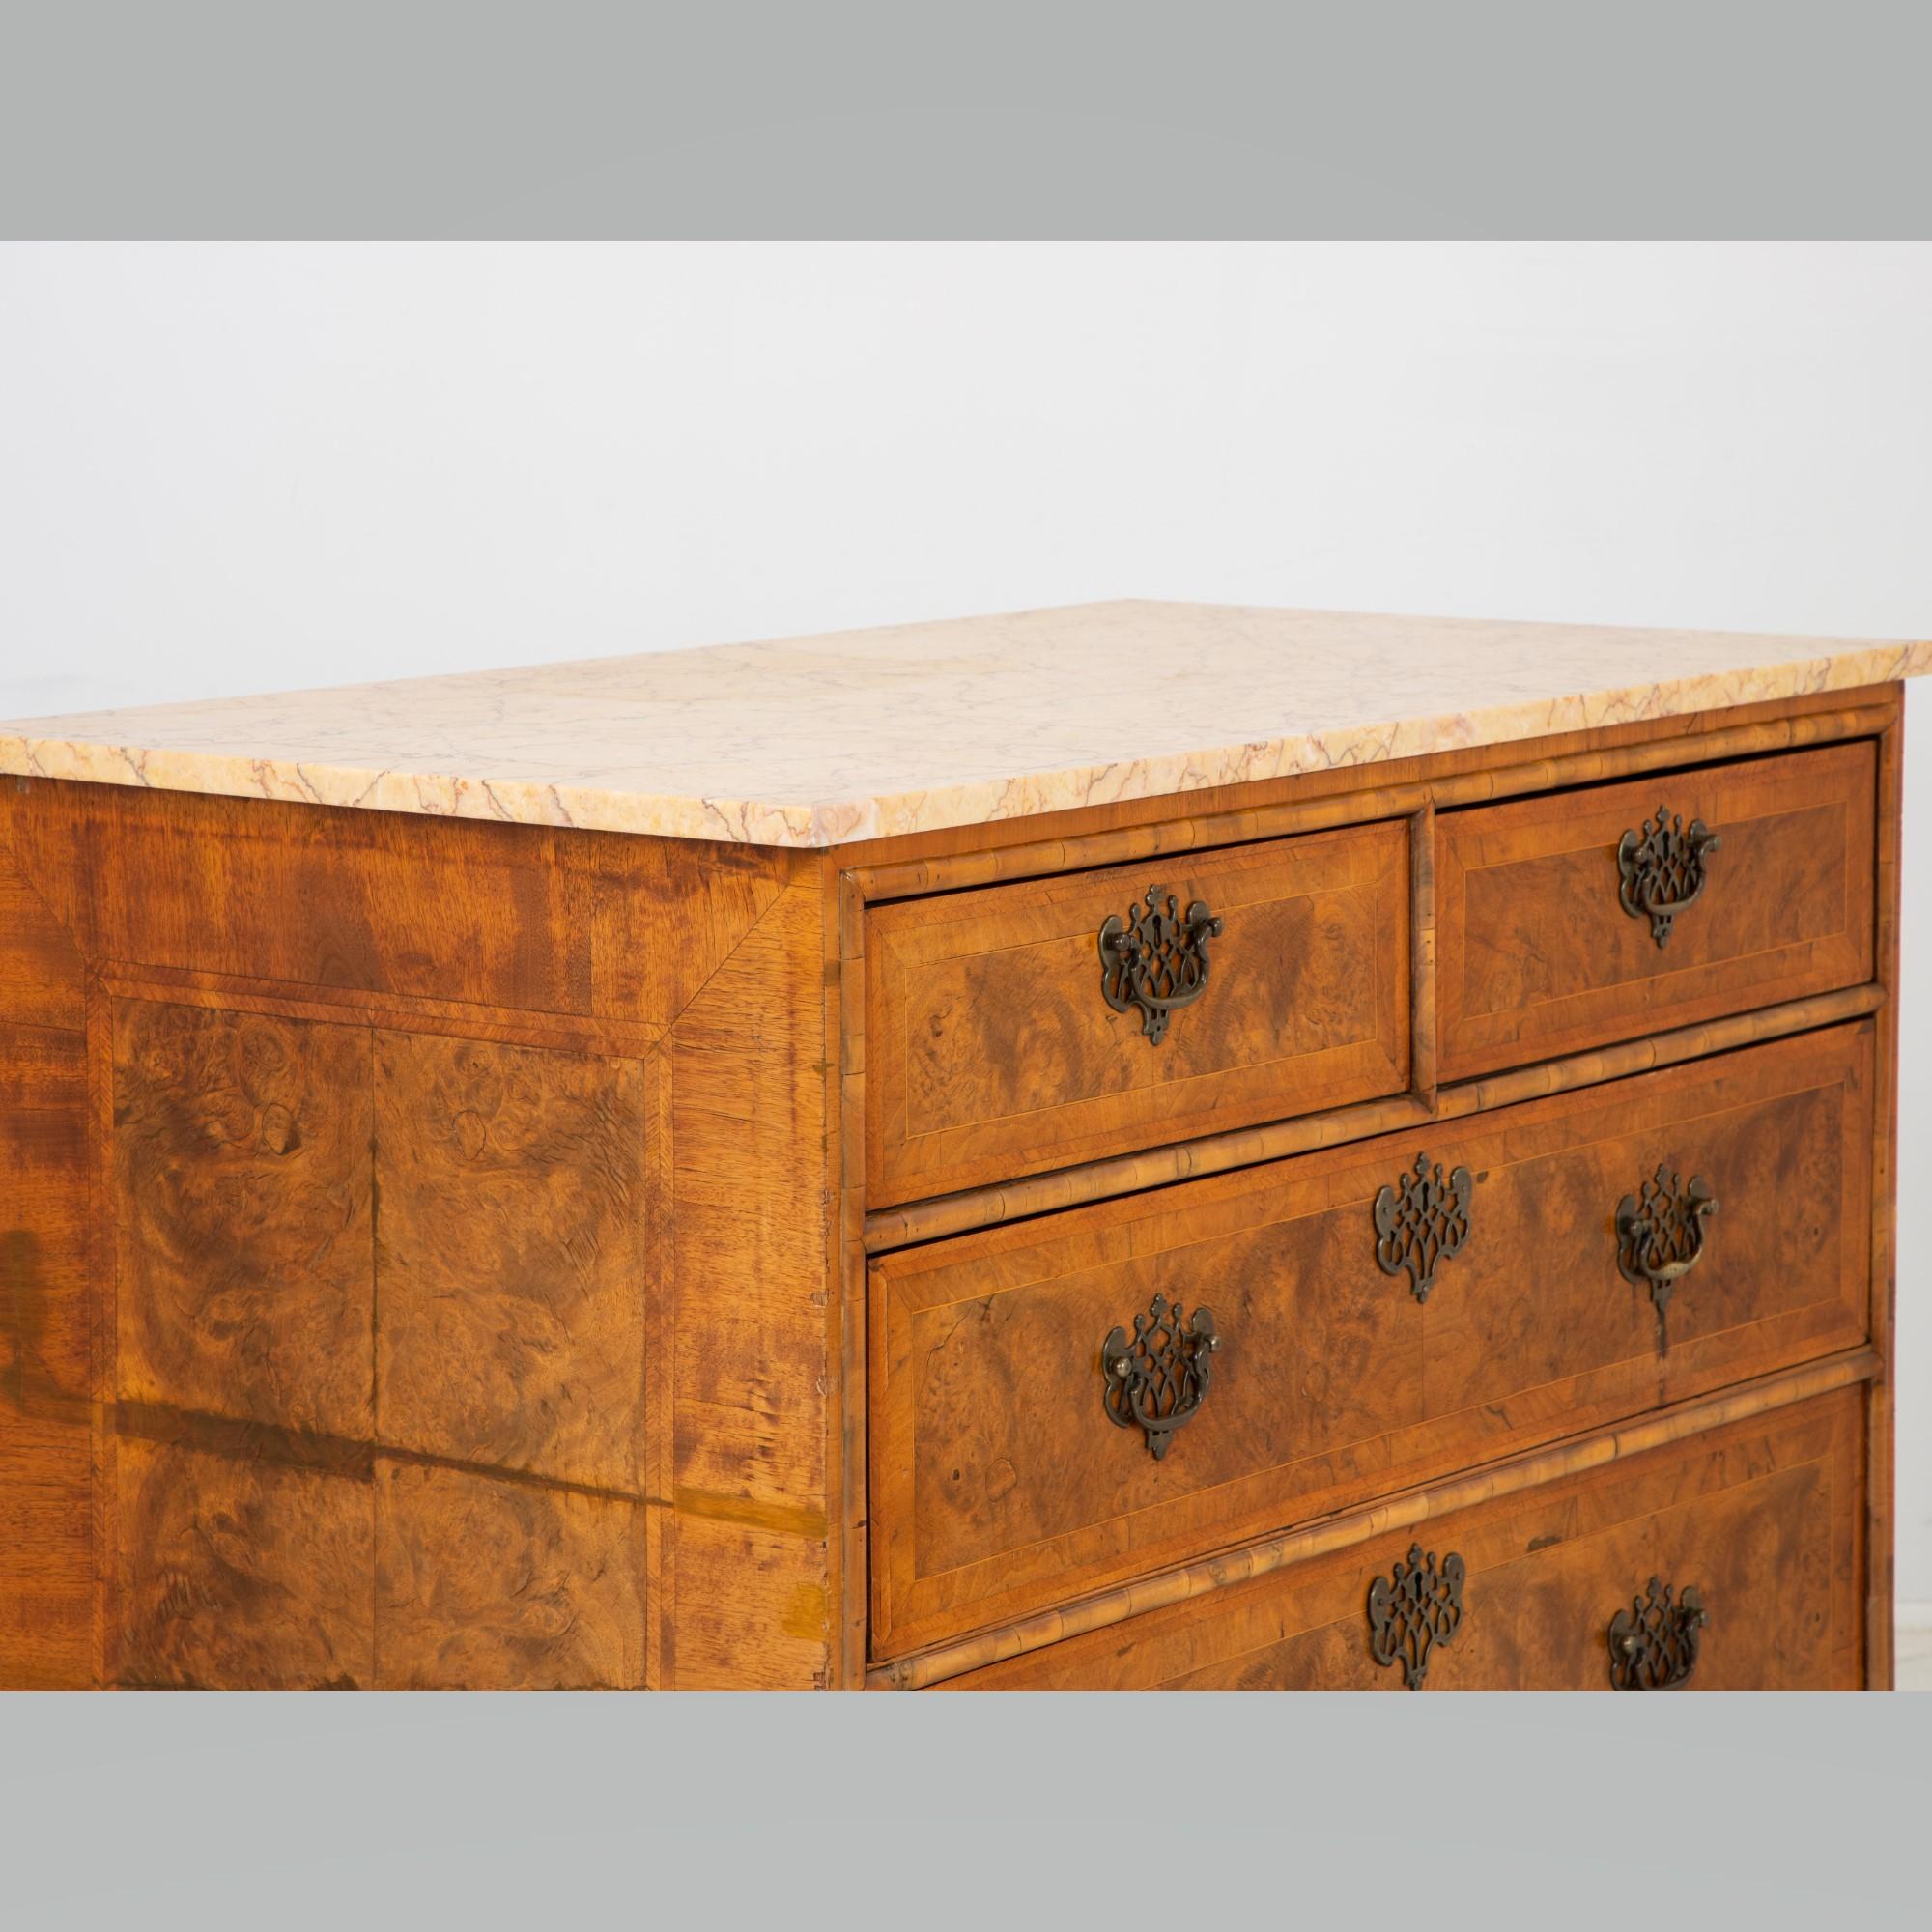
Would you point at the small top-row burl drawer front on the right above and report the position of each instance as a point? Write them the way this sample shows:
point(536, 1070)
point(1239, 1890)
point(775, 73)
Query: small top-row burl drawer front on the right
point(1539, 955)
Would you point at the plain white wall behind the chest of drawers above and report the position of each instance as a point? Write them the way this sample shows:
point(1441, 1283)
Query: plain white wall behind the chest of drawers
point(246, 469)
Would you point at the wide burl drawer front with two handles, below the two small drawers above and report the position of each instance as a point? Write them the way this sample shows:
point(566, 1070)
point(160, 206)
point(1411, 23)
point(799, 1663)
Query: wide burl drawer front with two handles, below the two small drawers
point(1002, 1481)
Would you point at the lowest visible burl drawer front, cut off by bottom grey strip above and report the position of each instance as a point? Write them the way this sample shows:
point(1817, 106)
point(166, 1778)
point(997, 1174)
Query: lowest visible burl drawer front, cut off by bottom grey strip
point(1751, 1533)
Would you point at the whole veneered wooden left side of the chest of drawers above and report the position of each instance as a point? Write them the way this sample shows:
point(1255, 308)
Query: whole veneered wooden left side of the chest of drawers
point(625, 1021)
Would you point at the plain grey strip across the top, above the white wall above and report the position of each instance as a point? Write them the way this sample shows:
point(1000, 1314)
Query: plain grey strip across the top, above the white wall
point(420, 119)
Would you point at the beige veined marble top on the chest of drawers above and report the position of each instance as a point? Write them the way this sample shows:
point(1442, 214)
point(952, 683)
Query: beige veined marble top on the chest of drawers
point(859, 735)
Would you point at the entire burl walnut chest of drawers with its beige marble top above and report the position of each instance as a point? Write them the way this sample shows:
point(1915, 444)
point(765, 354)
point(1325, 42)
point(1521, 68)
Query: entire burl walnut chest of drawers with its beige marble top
point(1069, 1151)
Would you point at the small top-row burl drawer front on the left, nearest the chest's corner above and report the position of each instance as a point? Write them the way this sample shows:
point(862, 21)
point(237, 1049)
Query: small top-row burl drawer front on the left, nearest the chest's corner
point(992, 1048)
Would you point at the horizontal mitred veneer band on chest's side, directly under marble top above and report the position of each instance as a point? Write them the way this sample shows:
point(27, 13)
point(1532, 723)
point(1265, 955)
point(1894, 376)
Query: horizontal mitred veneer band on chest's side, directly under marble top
point(519, 917)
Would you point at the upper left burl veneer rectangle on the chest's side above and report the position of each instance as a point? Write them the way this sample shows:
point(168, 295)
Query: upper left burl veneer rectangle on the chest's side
point(242, 1187)
